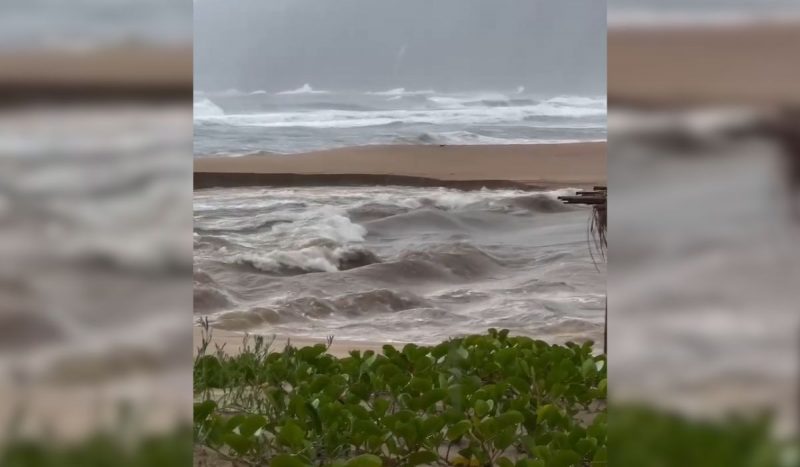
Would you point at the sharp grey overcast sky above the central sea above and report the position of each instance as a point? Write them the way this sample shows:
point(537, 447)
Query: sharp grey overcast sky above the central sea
point(548, 46)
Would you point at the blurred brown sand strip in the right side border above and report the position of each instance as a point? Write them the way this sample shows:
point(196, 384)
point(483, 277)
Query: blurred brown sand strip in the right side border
point(696, 65)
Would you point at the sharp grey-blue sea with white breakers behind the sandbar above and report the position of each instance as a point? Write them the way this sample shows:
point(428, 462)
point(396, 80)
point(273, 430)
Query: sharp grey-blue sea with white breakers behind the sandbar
point(306, 119)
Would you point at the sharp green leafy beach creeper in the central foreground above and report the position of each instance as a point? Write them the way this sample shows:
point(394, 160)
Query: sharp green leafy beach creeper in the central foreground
point(480, 400)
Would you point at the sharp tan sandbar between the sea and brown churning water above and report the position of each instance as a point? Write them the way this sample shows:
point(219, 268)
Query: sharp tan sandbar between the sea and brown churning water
point(500, 166)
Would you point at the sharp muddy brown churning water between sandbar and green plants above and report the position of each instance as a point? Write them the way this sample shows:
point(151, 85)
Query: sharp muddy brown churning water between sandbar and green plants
point(395, 263)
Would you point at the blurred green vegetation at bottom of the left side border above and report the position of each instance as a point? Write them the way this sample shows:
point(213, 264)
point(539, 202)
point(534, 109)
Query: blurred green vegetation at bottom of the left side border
point(101, 450)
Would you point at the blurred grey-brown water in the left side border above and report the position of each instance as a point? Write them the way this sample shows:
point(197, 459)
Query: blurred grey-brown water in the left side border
point(94, 249)
